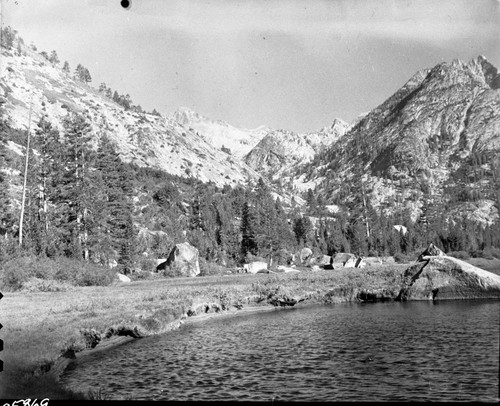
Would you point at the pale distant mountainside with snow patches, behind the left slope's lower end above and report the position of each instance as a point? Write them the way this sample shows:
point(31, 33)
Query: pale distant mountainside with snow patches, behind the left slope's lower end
point(221, 135)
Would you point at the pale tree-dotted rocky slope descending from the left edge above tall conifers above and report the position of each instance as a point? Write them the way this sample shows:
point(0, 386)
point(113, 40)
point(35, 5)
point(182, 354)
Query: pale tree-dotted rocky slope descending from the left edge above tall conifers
point(144, 139)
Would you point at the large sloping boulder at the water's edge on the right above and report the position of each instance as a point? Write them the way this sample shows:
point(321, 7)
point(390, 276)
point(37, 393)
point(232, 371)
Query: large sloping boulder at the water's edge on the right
point(445, 277)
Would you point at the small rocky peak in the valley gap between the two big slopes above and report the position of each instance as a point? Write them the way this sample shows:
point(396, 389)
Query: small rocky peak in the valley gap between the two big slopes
point(281, 150)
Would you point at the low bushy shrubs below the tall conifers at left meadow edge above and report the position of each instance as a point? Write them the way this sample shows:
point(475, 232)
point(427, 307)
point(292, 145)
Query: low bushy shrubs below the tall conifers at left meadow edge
point(27, 272)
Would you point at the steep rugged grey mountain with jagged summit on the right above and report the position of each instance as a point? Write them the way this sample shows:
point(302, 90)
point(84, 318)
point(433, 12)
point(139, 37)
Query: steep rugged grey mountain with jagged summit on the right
point(435, 142)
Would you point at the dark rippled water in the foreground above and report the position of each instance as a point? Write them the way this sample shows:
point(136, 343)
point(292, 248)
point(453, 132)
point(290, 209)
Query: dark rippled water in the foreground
point(385, 351)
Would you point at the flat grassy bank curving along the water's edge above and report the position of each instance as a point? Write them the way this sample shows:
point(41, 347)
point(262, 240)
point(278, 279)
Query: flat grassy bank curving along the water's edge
point(40, 326)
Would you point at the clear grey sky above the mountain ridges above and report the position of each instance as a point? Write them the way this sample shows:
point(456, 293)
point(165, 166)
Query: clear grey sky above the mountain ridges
point(290, 64)
